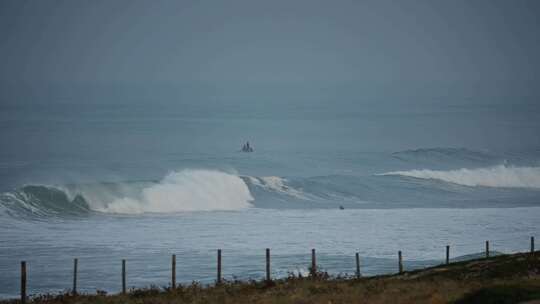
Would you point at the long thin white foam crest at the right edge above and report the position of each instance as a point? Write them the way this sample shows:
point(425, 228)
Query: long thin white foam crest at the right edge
point(498, 176)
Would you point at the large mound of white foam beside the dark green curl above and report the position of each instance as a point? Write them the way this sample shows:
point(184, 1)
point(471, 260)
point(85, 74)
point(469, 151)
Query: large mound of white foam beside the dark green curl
point(187, 190)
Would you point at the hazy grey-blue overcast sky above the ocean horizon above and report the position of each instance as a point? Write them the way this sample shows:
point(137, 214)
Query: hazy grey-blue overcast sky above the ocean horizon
point(489, 47)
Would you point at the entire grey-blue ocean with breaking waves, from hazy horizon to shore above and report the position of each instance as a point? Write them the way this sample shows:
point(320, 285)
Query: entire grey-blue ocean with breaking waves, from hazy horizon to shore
point(108, 181)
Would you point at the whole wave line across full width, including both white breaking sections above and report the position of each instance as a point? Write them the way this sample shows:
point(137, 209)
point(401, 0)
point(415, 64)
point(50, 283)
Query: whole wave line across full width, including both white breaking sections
point(211, 190)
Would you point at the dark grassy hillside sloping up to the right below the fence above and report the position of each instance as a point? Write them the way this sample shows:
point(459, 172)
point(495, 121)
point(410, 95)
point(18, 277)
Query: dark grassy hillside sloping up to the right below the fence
point(502, 279)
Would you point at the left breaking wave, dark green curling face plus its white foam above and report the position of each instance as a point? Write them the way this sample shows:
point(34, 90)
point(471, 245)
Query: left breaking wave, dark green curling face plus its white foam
point(187, 190)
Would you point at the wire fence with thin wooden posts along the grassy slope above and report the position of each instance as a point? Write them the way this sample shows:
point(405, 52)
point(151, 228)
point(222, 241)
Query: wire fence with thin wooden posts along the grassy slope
point(264, 267)
